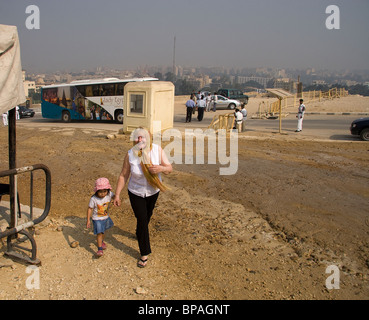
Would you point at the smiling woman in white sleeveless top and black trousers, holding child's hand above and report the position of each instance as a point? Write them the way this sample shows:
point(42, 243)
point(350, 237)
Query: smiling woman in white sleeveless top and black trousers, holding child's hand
point(143, 165)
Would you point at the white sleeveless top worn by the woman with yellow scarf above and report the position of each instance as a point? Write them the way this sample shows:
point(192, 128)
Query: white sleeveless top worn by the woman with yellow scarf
point(138, 184)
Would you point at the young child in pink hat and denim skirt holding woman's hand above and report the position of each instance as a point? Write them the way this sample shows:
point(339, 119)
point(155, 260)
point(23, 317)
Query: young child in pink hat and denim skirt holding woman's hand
point(98, 209)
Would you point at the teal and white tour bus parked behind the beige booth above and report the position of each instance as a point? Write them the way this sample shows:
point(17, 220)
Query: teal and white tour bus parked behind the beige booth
point(95, 99)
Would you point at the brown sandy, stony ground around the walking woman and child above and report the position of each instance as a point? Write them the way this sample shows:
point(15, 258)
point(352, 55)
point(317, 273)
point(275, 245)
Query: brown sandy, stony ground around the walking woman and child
point(294, 208)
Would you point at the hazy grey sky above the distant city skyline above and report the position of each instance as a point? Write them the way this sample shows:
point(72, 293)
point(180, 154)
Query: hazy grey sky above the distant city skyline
point(85, 34)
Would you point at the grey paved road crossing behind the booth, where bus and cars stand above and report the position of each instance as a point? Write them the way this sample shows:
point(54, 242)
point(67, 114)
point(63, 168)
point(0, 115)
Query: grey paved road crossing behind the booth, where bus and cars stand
point(331, 127)
